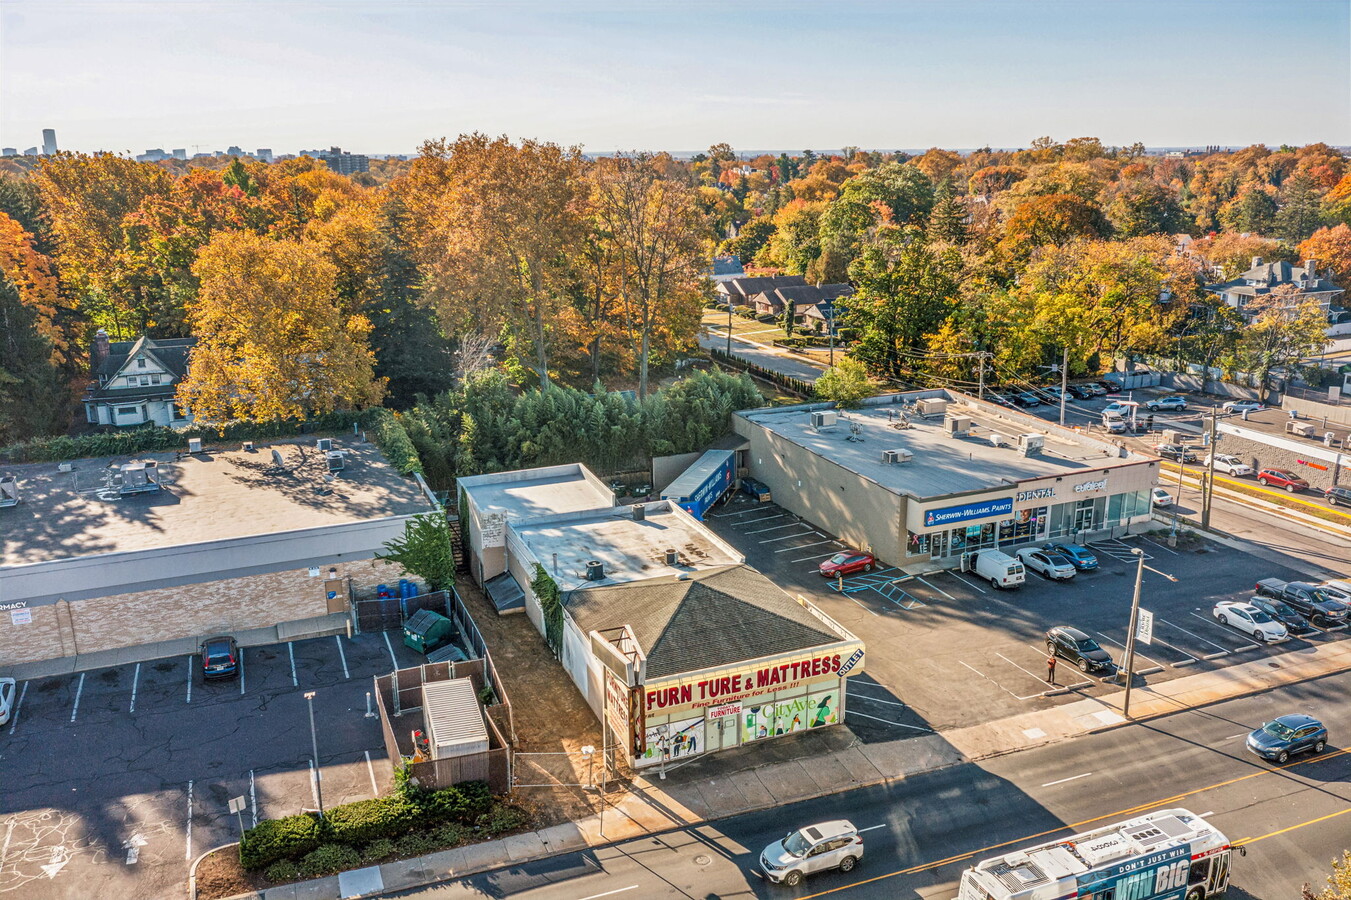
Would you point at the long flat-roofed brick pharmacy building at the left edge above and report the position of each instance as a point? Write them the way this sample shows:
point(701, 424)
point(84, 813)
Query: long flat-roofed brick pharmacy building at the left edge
point(101, 555)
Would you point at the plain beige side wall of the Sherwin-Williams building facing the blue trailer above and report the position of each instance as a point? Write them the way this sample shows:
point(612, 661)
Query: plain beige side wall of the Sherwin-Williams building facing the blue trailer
point(861, 511)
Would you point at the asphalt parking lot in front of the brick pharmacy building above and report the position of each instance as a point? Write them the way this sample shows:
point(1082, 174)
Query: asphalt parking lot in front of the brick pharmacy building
point(117, 779)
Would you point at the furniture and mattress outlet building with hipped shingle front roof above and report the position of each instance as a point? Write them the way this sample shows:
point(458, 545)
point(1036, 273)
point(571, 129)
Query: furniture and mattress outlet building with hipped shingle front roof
point(673, 641)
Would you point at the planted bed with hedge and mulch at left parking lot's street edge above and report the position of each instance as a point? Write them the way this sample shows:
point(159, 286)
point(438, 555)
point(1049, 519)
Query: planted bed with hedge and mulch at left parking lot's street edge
point(411, 822)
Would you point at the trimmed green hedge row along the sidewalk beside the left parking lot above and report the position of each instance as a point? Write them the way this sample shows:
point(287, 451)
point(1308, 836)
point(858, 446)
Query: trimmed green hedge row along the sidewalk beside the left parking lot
point(364, 822)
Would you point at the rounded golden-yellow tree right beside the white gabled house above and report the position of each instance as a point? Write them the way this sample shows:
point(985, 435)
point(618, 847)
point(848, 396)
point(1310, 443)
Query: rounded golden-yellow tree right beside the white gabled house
point(272, 341)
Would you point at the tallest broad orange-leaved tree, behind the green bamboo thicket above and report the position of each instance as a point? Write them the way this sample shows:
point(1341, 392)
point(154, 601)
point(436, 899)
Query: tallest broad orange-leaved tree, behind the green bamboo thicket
point(507, 228)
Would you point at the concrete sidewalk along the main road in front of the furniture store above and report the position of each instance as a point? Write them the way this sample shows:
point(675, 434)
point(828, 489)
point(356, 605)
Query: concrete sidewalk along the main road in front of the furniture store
point(832, 763)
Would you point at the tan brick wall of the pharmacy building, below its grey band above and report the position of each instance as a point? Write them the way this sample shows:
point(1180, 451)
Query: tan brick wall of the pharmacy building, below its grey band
point(229, 606)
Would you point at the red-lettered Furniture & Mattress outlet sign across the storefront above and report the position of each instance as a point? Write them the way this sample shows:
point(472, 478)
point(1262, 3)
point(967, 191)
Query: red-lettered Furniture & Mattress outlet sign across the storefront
point(734, 684)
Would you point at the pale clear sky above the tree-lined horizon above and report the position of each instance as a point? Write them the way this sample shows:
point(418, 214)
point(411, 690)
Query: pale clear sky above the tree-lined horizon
point(380, 76)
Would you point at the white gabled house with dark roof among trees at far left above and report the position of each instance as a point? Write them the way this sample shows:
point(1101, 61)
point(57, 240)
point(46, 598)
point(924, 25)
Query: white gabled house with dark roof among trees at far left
point(136, 382)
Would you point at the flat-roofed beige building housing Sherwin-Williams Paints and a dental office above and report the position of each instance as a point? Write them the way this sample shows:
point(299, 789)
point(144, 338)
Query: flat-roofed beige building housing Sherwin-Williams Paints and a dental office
point(934, 475)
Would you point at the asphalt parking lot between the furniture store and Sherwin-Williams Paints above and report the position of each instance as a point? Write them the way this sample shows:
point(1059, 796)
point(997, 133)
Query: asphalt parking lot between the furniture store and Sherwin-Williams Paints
point(948, 651)
